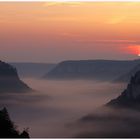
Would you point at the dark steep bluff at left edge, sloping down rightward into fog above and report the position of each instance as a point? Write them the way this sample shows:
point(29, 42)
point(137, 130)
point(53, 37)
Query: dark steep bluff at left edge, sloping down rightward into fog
point(10, 81)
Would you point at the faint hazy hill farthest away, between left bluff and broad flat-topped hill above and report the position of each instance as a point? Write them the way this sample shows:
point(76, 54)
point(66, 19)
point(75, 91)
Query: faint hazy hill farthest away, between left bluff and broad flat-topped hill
point(32, 70)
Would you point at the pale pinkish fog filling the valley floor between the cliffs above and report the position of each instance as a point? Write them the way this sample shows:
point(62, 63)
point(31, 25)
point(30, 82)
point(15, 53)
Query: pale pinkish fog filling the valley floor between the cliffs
point(50, 110)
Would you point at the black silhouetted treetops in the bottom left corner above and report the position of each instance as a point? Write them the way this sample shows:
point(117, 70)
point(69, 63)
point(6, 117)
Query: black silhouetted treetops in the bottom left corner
point(8, 129)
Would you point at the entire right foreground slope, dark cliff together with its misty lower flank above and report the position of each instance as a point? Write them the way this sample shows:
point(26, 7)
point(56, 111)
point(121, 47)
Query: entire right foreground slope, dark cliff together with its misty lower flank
point(120, 118)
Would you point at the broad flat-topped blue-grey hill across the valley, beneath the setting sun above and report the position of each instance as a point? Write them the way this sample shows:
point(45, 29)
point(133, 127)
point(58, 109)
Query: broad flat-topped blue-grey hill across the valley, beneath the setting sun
point(91, 69)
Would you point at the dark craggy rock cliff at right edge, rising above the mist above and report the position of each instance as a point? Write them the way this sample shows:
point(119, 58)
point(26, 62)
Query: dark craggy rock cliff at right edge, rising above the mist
point(130, 97)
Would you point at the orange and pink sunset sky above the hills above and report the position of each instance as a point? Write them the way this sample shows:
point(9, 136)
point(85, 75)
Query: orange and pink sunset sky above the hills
point(57, 31)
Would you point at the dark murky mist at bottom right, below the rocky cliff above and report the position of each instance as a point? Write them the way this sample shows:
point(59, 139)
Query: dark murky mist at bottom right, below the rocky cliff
point(109, 123)
